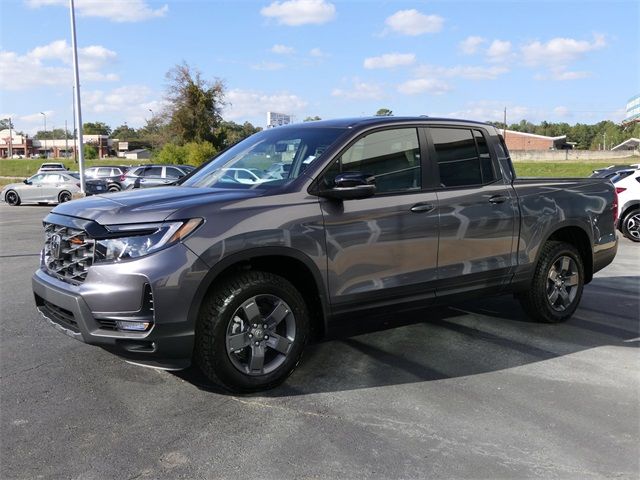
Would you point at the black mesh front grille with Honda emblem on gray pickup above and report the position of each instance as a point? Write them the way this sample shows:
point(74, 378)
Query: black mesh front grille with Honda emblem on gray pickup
point(68, 253)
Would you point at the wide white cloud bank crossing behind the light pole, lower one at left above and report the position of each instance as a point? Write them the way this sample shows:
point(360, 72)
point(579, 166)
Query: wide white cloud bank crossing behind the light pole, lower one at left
point(50, 65)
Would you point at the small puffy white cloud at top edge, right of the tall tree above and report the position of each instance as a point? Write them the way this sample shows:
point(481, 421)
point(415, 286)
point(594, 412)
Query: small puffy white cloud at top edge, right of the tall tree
point(300, 12)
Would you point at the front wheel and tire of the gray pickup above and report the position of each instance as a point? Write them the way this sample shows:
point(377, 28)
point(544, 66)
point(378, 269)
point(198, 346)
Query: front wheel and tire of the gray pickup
point(251, 331)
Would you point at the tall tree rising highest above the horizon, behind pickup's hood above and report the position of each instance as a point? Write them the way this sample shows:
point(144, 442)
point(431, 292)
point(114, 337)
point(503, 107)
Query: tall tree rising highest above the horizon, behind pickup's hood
point(195, 105)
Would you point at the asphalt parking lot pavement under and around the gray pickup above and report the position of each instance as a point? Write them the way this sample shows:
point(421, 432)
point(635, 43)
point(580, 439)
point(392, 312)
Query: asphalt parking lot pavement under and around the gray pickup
point(473, 391)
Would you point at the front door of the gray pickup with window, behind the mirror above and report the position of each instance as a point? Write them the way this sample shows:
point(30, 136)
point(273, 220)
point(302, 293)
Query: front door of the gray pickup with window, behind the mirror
point(383, 249)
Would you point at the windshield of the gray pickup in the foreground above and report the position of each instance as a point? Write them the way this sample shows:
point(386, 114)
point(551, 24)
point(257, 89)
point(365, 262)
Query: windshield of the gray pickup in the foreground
point(269, 158)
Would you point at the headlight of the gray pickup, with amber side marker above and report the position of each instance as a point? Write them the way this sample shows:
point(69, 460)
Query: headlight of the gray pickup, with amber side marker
point(138, 240)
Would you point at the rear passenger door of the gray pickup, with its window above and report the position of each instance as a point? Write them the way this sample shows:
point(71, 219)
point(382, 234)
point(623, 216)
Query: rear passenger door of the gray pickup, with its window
point(477, 211)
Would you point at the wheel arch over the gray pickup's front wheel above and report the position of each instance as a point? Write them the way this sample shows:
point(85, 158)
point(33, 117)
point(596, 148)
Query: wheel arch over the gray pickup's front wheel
point(291, 264)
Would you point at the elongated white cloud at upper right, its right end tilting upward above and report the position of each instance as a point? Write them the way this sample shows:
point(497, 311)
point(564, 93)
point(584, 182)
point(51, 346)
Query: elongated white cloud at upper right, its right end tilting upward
point(559, 51)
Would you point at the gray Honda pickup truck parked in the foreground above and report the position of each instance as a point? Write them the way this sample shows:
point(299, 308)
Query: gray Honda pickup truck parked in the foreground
point(240, 265)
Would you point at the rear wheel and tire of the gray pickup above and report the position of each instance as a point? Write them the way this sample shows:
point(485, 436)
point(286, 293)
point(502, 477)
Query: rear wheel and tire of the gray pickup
point(557, 284)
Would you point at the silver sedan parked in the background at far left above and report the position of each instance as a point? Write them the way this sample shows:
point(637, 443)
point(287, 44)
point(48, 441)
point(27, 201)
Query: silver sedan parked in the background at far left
point(48, 187)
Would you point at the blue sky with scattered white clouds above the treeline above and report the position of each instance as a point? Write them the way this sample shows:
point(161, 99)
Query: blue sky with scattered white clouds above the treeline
point(559, 61)
